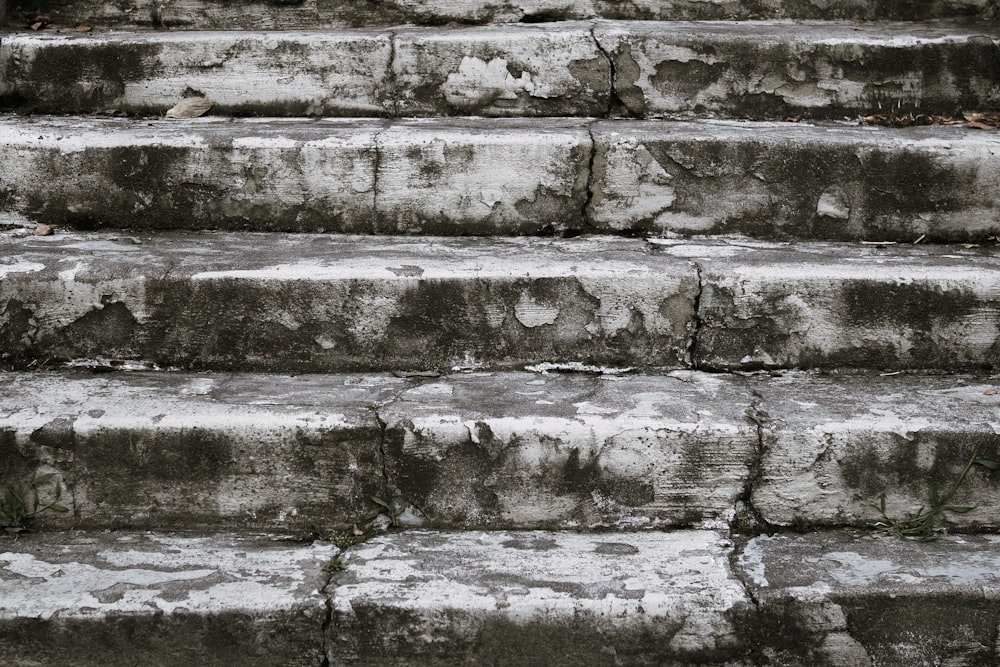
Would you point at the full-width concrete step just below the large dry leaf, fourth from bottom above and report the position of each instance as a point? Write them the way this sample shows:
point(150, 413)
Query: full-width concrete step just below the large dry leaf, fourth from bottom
point(507, 177)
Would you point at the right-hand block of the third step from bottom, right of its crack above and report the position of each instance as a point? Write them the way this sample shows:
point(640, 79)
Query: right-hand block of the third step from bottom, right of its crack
point(827, 305)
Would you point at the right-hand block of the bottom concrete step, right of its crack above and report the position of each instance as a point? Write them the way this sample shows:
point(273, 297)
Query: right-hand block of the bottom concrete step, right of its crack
point(831, 600)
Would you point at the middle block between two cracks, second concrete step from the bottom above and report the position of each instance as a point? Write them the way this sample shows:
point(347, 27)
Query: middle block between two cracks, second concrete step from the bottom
point(531, 451)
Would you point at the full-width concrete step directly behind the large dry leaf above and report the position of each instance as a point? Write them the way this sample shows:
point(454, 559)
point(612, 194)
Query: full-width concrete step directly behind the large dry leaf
point(755, 69)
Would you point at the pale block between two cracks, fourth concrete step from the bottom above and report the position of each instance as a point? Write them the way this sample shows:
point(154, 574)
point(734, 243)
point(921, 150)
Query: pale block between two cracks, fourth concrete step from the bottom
point(479, 176)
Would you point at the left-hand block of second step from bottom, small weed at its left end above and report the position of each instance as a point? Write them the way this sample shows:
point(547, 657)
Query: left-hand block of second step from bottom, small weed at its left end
point(158, 450)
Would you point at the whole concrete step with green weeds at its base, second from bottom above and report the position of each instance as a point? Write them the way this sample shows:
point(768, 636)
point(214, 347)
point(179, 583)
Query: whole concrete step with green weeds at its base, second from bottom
point(502, 450)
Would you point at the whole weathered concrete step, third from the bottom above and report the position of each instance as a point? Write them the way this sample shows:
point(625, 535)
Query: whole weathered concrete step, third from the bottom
point(276, 302)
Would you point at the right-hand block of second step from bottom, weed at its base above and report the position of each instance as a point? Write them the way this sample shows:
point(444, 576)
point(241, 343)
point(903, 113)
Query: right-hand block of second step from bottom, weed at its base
point(833, 445)
